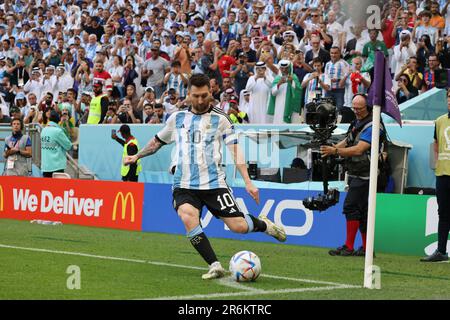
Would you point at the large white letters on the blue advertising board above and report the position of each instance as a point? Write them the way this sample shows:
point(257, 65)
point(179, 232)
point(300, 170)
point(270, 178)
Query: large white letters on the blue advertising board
point(279, 210)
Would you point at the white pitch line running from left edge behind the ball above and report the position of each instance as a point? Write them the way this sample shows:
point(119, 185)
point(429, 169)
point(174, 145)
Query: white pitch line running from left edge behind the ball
point(165, 264)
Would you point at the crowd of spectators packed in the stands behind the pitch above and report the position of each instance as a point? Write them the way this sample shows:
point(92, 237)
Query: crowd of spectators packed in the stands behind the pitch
point(260, 55)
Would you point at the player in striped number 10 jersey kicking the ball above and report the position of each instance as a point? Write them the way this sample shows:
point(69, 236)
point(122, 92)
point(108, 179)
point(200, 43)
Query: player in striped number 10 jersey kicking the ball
point(198, 177)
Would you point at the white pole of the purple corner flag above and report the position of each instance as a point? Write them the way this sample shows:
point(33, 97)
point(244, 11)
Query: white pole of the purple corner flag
point(370, 234)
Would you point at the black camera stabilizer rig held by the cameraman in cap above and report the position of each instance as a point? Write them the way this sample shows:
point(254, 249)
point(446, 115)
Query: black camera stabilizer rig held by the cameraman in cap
point(321, 116)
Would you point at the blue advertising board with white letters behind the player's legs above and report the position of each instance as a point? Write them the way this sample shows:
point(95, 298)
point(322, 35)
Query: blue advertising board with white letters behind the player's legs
point(285, 207)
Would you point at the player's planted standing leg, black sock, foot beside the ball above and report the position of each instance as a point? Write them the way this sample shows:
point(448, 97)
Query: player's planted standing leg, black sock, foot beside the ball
point(188, 207)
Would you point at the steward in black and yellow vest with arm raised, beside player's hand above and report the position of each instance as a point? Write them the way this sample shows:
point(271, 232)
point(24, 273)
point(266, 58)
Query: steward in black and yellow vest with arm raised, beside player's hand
point(130, 148)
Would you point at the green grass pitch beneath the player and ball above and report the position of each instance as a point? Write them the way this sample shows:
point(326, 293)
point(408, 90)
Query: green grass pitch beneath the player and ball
point(29, 274)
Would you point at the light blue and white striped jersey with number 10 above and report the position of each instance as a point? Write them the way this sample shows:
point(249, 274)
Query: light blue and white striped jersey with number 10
point(198, 151)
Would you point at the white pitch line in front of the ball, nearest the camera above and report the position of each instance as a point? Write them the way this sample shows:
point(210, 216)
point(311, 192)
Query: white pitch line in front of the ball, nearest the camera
point(254, 293)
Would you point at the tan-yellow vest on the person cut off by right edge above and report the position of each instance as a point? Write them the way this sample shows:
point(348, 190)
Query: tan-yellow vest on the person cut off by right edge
point(443, 139)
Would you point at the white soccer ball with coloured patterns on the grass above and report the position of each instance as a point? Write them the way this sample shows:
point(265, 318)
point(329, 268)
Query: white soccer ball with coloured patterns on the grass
point(245, 266)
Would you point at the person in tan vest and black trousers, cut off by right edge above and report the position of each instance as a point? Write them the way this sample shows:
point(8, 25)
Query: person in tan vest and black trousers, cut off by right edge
point(442, 171)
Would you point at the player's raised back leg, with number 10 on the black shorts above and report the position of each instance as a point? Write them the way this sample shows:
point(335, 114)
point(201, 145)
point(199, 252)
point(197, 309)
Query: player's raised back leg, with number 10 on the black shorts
point(222, 204)
